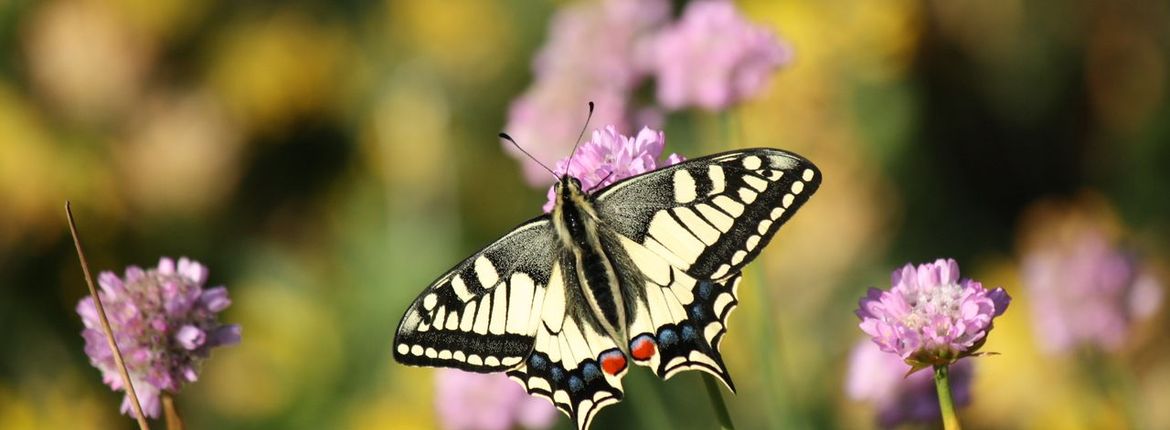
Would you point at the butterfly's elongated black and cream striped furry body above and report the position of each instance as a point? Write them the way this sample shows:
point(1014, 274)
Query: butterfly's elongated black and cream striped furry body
point(576, 224)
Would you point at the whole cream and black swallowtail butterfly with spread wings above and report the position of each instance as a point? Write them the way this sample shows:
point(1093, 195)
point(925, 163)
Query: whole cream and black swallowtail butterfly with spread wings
point(645, 271)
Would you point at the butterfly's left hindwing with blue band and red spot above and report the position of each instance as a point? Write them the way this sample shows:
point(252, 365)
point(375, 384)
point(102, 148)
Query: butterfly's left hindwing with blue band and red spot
point(573, 365)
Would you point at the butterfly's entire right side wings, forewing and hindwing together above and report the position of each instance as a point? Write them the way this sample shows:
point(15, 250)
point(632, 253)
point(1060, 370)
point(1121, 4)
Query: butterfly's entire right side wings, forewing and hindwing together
point(687, 231)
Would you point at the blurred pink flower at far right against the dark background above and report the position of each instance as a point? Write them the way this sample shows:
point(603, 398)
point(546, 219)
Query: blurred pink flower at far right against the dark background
point(1086, 292)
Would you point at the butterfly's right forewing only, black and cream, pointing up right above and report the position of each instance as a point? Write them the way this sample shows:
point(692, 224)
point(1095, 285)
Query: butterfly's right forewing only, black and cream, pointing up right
point(712, 216)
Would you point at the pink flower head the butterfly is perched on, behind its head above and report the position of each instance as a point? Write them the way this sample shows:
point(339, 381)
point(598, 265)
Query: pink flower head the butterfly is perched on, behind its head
point(610, 157)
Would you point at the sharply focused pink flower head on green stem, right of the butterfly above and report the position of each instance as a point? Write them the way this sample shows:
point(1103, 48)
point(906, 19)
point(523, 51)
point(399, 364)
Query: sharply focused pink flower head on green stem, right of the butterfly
point(931, 317)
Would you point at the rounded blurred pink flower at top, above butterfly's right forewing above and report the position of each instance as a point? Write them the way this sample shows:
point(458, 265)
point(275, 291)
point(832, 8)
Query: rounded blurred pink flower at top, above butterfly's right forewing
point(713, 58)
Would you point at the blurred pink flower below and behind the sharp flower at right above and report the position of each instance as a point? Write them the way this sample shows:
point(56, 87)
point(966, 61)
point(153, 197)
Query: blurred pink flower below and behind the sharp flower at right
point(882, 379)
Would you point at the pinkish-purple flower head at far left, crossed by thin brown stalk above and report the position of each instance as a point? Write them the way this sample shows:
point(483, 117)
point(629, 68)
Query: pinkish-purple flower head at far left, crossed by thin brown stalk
point(166, 324)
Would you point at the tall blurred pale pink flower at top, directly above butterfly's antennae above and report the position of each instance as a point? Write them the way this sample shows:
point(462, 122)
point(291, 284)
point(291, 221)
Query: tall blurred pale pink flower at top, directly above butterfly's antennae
point(589, 57)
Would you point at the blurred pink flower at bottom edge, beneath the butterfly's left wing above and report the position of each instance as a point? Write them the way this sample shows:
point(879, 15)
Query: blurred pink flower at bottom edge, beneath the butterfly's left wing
point(469, 401)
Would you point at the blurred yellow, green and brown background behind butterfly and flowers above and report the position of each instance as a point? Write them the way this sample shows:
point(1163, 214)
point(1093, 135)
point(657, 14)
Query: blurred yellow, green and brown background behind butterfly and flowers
point(328, 159)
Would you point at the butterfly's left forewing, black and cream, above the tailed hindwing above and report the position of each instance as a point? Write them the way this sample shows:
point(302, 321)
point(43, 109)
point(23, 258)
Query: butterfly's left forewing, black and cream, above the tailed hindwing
point(483, 315)
